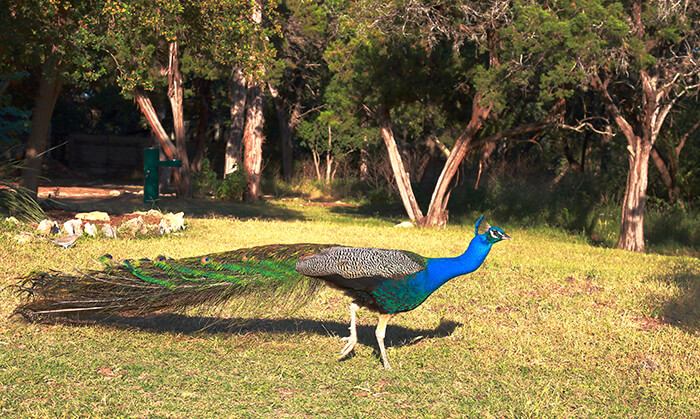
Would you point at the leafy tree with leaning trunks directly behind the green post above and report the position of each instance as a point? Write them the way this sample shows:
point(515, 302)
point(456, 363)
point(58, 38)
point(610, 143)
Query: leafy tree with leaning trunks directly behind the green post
point(148, 43)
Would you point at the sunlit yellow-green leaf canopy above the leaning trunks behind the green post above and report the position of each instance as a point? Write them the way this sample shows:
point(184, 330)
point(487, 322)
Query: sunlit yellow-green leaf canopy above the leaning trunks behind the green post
point(212, 35)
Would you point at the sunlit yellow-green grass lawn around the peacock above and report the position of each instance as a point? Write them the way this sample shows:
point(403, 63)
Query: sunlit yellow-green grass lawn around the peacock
point(548, 326)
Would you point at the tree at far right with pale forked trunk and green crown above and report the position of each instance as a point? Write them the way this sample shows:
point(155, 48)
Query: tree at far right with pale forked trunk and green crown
point(639, 58)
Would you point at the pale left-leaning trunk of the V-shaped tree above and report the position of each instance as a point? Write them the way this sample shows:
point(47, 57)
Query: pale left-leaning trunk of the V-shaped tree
point(403, 180)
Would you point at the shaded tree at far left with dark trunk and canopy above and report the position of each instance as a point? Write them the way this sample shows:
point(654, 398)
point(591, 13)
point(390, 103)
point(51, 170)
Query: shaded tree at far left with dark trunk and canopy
point(55, 40)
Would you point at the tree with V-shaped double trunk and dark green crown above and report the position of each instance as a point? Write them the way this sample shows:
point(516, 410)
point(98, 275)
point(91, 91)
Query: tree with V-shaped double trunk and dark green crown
point(448, 55)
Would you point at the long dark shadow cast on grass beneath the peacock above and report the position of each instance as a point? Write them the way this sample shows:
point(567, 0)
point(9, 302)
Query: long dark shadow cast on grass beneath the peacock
point(396, 336)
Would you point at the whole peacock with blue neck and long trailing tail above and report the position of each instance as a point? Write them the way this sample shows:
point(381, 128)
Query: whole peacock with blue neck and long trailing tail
point(382, 280)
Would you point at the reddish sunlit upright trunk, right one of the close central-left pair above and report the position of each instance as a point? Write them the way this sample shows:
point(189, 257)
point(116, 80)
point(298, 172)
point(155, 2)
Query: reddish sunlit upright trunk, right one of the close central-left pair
point(252, 142)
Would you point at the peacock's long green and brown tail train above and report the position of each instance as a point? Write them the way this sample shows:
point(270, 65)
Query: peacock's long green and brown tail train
point(144, 286)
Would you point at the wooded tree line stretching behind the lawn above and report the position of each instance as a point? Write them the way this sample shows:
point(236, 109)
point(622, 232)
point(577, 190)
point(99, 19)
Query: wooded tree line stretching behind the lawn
point(580, 114)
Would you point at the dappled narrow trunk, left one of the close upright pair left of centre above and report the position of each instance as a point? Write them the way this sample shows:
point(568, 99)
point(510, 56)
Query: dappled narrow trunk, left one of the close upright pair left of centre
point(237, 95)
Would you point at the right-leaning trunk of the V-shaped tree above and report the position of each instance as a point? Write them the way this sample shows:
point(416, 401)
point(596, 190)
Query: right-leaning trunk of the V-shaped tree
point(437, 212)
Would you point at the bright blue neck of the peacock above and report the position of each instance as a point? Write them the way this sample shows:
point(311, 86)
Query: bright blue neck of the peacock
point(440, 270)
